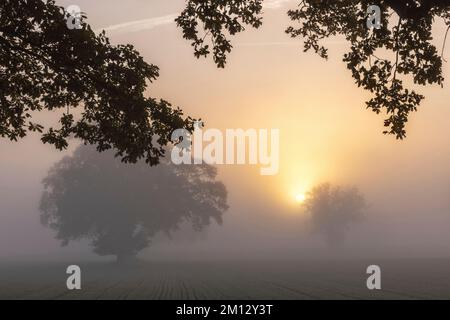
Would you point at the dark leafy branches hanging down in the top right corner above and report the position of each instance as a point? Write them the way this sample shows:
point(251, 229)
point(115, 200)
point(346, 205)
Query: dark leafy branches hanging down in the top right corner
point(409, 40)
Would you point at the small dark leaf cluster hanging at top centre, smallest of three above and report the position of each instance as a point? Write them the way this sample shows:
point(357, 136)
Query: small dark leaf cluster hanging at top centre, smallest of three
point(216, 19)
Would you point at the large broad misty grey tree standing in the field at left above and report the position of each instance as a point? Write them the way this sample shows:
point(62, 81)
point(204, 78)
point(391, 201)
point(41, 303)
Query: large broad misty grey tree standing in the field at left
point(119, 207)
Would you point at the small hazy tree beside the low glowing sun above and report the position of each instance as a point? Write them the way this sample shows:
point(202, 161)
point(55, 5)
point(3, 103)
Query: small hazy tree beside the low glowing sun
point(332, 210)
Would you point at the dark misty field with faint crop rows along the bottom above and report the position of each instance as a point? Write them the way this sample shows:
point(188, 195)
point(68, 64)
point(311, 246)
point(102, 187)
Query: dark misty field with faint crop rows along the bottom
point(406, 279)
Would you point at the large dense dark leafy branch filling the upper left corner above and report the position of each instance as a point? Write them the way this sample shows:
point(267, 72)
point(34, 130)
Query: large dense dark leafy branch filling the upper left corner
point(46, 66)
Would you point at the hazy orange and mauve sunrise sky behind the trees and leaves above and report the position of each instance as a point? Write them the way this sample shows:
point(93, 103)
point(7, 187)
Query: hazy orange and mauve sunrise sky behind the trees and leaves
point(326, 135)
